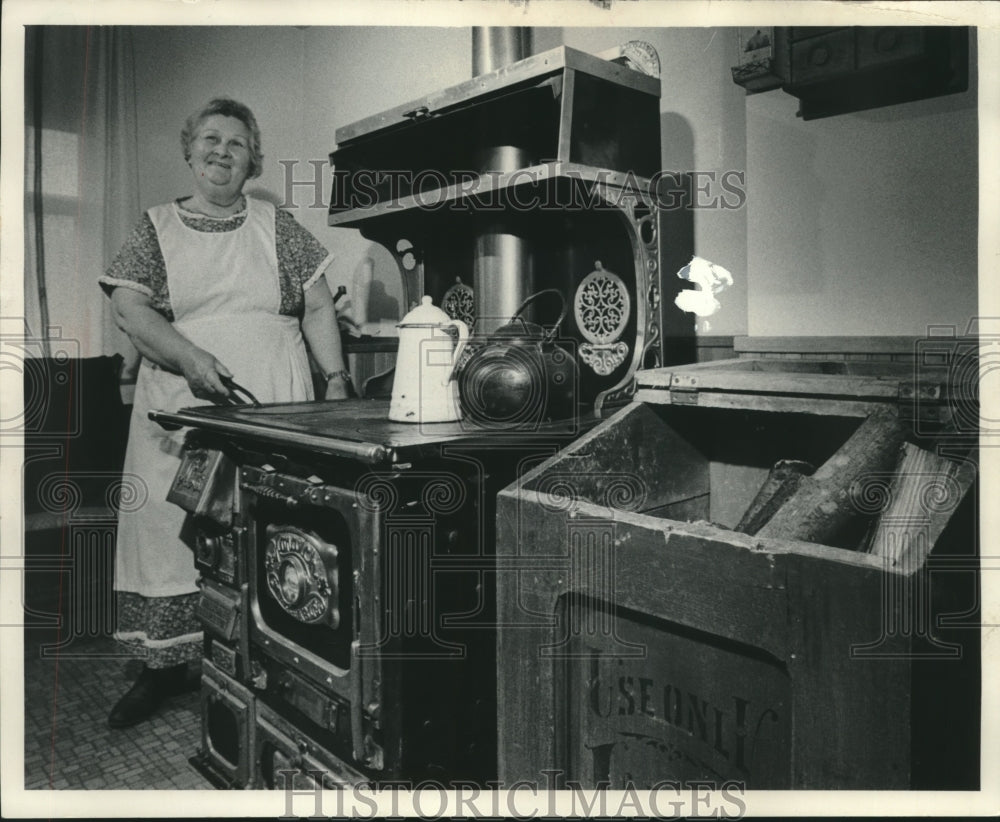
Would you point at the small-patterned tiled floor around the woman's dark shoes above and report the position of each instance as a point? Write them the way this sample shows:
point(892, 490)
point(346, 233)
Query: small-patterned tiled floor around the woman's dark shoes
point(68, 745)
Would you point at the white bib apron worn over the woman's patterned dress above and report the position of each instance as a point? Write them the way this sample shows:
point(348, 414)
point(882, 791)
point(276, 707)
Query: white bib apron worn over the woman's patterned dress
point(225, 297)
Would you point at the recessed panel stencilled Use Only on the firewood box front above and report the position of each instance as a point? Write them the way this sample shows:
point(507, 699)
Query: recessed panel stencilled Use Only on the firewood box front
point(651, 701)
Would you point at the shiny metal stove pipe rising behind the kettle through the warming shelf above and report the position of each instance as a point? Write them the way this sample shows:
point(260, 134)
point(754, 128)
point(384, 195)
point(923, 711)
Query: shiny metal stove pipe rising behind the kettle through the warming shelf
point(502, 268)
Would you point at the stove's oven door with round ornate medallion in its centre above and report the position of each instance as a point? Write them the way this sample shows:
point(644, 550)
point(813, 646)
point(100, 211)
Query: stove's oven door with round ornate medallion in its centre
point(312, 607)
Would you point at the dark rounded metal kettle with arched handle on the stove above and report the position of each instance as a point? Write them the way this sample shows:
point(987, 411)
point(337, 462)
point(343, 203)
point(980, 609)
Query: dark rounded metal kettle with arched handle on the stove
point(519, 374)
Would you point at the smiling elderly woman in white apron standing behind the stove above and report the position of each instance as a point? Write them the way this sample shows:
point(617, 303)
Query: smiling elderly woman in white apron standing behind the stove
point(208, 287)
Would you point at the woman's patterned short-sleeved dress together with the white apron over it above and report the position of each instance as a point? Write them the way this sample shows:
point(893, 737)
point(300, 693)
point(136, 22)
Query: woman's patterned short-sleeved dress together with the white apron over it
point(234, 286)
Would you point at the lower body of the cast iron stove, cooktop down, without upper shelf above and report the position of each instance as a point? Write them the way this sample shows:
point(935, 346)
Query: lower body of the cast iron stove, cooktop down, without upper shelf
point(348, 602)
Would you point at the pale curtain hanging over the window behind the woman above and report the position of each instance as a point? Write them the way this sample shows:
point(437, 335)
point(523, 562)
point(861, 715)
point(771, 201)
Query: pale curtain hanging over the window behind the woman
point(81, 181)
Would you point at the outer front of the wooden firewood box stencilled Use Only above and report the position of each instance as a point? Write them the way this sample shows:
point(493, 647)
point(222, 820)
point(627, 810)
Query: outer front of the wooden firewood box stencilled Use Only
point(796, 615)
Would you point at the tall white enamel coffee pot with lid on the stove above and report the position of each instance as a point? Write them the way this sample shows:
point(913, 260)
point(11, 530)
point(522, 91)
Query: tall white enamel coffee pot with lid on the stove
point(423, 389)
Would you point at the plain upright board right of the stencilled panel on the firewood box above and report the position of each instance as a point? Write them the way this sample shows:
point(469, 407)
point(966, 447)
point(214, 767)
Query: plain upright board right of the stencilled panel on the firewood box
point(852, 713)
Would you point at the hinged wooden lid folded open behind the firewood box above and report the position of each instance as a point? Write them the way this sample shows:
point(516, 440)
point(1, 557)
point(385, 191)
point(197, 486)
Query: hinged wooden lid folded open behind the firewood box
point(810, 385)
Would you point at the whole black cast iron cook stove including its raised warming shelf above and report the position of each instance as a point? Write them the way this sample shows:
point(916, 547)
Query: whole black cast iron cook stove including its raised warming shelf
point(348, 562)
